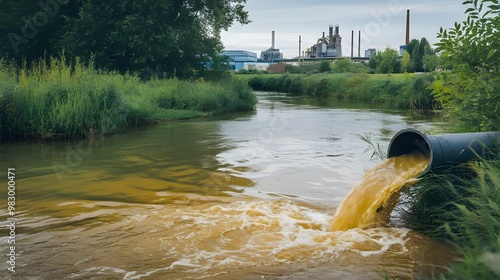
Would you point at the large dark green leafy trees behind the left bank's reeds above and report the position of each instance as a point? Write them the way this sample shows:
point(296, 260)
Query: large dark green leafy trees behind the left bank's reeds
point(152, 38)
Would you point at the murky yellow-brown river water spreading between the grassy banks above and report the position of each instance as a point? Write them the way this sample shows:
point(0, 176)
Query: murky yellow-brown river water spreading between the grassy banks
point(247, 196)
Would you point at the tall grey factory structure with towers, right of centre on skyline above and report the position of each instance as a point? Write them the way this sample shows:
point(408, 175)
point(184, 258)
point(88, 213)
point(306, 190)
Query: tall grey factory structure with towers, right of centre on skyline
point(330, 46)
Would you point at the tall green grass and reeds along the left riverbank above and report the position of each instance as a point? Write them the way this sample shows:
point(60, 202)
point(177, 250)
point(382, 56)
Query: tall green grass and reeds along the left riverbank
point(55, 100)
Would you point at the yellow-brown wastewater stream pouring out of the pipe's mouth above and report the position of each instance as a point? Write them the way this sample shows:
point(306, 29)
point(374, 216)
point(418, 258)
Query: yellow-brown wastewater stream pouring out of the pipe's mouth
point(370, 202)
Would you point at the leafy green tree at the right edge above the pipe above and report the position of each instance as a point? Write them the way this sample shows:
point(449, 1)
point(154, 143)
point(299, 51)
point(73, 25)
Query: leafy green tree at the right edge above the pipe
point(470, 92)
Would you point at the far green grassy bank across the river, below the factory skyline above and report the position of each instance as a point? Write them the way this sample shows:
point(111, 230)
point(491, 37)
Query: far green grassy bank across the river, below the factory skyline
point(398, 90)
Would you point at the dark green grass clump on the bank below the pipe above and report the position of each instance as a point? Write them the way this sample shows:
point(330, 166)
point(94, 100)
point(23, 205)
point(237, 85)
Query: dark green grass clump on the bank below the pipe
point(461, 206)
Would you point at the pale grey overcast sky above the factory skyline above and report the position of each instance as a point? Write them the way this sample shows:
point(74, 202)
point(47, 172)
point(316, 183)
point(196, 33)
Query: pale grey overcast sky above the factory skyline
point(381, 22)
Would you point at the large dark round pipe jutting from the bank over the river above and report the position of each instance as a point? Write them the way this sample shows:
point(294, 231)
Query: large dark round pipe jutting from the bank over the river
point(444, 149)
